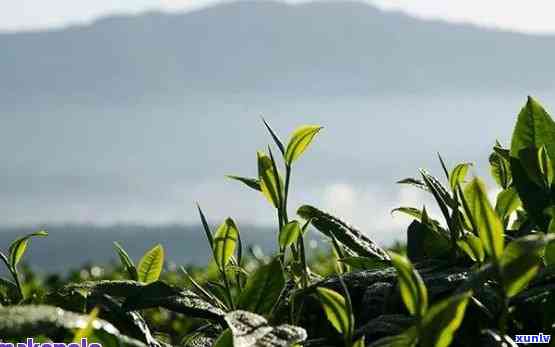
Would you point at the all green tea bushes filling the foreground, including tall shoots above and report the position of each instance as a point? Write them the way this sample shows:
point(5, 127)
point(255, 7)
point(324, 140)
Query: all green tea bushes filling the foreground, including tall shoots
point(478, 276)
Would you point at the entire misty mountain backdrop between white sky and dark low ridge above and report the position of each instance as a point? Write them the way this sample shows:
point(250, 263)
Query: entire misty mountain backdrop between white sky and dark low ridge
point(133, 118)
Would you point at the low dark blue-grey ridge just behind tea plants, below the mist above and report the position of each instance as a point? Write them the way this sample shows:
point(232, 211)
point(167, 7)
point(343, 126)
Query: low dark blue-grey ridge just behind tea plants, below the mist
point(69, 247)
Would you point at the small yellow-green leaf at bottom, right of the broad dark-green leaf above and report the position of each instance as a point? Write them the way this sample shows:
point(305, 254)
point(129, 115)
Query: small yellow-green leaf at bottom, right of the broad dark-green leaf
point(336, 310)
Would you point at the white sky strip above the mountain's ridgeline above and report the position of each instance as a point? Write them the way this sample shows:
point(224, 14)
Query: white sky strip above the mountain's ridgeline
point(529, 16)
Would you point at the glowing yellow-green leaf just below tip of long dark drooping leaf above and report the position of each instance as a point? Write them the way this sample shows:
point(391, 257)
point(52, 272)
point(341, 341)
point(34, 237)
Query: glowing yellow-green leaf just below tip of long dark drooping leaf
point(411, 285)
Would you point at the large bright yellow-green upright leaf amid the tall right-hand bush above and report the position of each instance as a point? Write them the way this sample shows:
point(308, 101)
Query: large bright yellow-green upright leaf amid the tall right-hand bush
point(490, 229)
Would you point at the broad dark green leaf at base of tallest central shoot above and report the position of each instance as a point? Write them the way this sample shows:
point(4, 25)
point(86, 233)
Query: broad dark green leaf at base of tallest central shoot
point(263, 288)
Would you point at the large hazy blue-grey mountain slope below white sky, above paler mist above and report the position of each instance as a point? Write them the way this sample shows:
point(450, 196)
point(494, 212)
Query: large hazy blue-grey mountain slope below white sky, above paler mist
point(319, 48)
